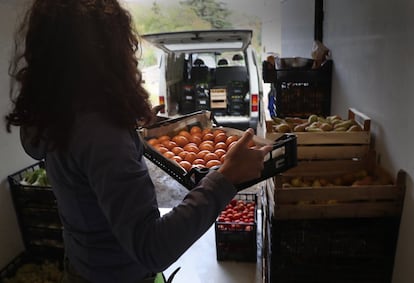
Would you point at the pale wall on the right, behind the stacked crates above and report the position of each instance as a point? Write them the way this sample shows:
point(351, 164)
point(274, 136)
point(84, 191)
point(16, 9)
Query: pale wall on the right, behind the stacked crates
point(372, 42)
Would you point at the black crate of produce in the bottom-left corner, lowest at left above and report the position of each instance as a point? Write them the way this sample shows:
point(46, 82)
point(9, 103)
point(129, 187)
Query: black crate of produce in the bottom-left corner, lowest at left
point(47, 260)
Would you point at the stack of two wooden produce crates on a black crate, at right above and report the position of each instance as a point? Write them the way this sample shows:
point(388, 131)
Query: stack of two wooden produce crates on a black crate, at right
point(335, 216)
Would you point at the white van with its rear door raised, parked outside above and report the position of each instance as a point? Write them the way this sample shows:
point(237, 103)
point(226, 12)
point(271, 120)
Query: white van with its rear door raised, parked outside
point(214, 70)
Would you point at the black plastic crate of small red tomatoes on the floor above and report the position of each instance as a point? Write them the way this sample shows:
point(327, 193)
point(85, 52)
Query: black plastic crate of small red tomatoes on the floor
point(236, 240)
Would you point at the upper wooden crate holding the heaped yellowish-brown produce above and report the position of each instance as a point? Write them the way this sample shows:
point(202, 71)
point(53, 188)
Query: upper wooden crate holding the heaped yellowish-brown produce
point(331, 145)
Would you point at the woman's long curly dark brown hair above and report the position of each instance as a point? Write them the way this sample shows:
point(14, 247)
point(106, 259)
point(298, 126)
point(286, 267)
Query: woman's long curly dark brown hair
point(74, 56)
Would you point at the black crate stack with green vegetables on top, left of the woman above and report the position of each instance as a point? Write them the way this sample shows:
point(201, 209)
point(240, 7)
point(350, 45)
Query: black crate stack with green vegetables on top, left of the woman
point(36, 211)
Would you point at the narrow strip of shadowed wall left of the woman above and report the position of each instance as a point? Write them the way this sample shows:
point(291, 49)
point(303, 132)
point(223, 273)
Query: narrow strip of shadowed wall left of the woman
point(12, 157)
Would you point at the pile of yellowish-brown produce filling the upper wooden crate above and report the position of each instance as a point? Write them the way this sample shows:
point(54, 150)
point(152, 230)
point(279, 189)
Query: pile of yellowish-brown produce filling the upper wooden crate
point(315, 123)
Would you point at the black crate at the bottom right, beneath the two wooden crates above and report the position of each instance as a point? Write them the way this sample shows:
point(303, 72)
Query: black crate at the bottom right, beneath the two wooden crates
point(333, 250)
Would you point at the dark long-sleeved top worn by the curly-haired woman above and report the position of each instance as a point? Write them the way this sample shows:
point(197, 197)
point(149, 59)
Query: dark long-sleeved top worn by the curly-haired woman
point(113, 231)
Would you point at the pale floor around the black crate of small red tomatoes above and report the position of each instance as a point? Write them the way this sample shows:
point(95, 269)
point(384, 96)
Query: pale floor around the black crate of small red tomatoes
point(199, 263)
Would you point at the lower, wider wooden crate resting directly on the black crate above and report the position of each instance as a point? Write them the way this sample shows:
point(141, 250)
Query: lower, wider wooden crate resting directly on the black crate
point(382, 198)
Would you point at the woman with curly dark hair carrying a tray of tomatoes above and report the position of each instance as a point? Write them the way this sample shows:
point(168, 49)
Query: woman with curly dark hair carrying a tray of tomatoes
point(77, 97)
